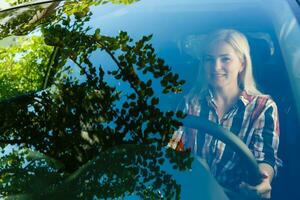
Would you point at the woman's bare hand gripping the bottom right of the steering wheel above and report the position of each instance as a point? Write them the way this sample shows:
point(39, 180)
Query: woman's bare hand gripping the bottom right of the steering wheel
point(262, 190)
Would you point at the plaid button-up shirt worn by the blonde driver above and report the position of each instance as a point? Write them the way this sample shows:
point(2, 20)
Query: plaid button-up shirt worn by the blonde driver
point(254, 119)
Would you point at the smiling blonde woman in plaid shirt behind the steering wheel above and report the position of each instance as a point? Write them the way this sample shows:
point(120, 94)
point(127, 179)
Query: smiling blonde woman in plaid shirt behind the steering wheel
point(226, 93)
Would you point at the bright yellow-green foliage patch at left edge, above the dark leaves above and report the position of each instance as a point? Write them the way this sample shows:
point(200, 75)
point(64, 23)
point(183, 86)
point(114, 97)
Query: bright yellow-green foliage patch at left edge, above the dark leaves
point(23, 66)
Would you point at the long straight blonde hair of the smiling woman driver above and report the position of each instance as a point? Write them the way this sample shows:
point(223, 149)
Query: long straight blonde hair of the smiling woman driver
point(240, 44)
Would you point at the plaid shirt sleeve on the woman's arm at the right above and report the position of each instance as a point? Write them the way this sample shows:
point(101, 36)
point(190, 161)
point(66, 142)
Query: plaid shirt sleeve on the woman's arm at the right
point(266, 136)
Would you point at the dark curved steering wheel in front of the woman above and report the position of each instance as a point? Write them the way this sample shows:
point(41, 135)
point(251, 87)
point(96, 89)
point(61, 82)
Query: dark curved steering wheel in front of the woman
point(230, 139)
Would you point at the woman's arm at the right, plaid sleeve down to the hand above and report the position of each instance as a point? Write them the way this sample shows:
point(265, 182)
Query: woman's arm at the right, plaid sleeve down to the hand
point(265, 146)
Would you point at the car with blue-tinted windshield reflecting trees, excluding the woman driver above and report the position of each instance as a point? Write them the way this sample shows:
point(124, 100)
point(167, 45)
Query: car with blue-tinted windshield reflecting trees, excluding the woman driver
point(90, 91)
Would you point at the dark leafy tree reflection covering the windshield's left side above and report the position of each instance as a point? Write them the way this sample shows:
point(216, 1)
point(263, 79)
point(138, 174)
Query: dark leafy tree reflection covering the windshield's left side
point(82, 136)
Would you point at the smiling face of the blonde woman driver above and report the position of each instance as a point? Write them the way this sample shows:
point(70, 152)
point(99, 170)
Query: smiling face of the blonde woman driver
point(221, 65)
